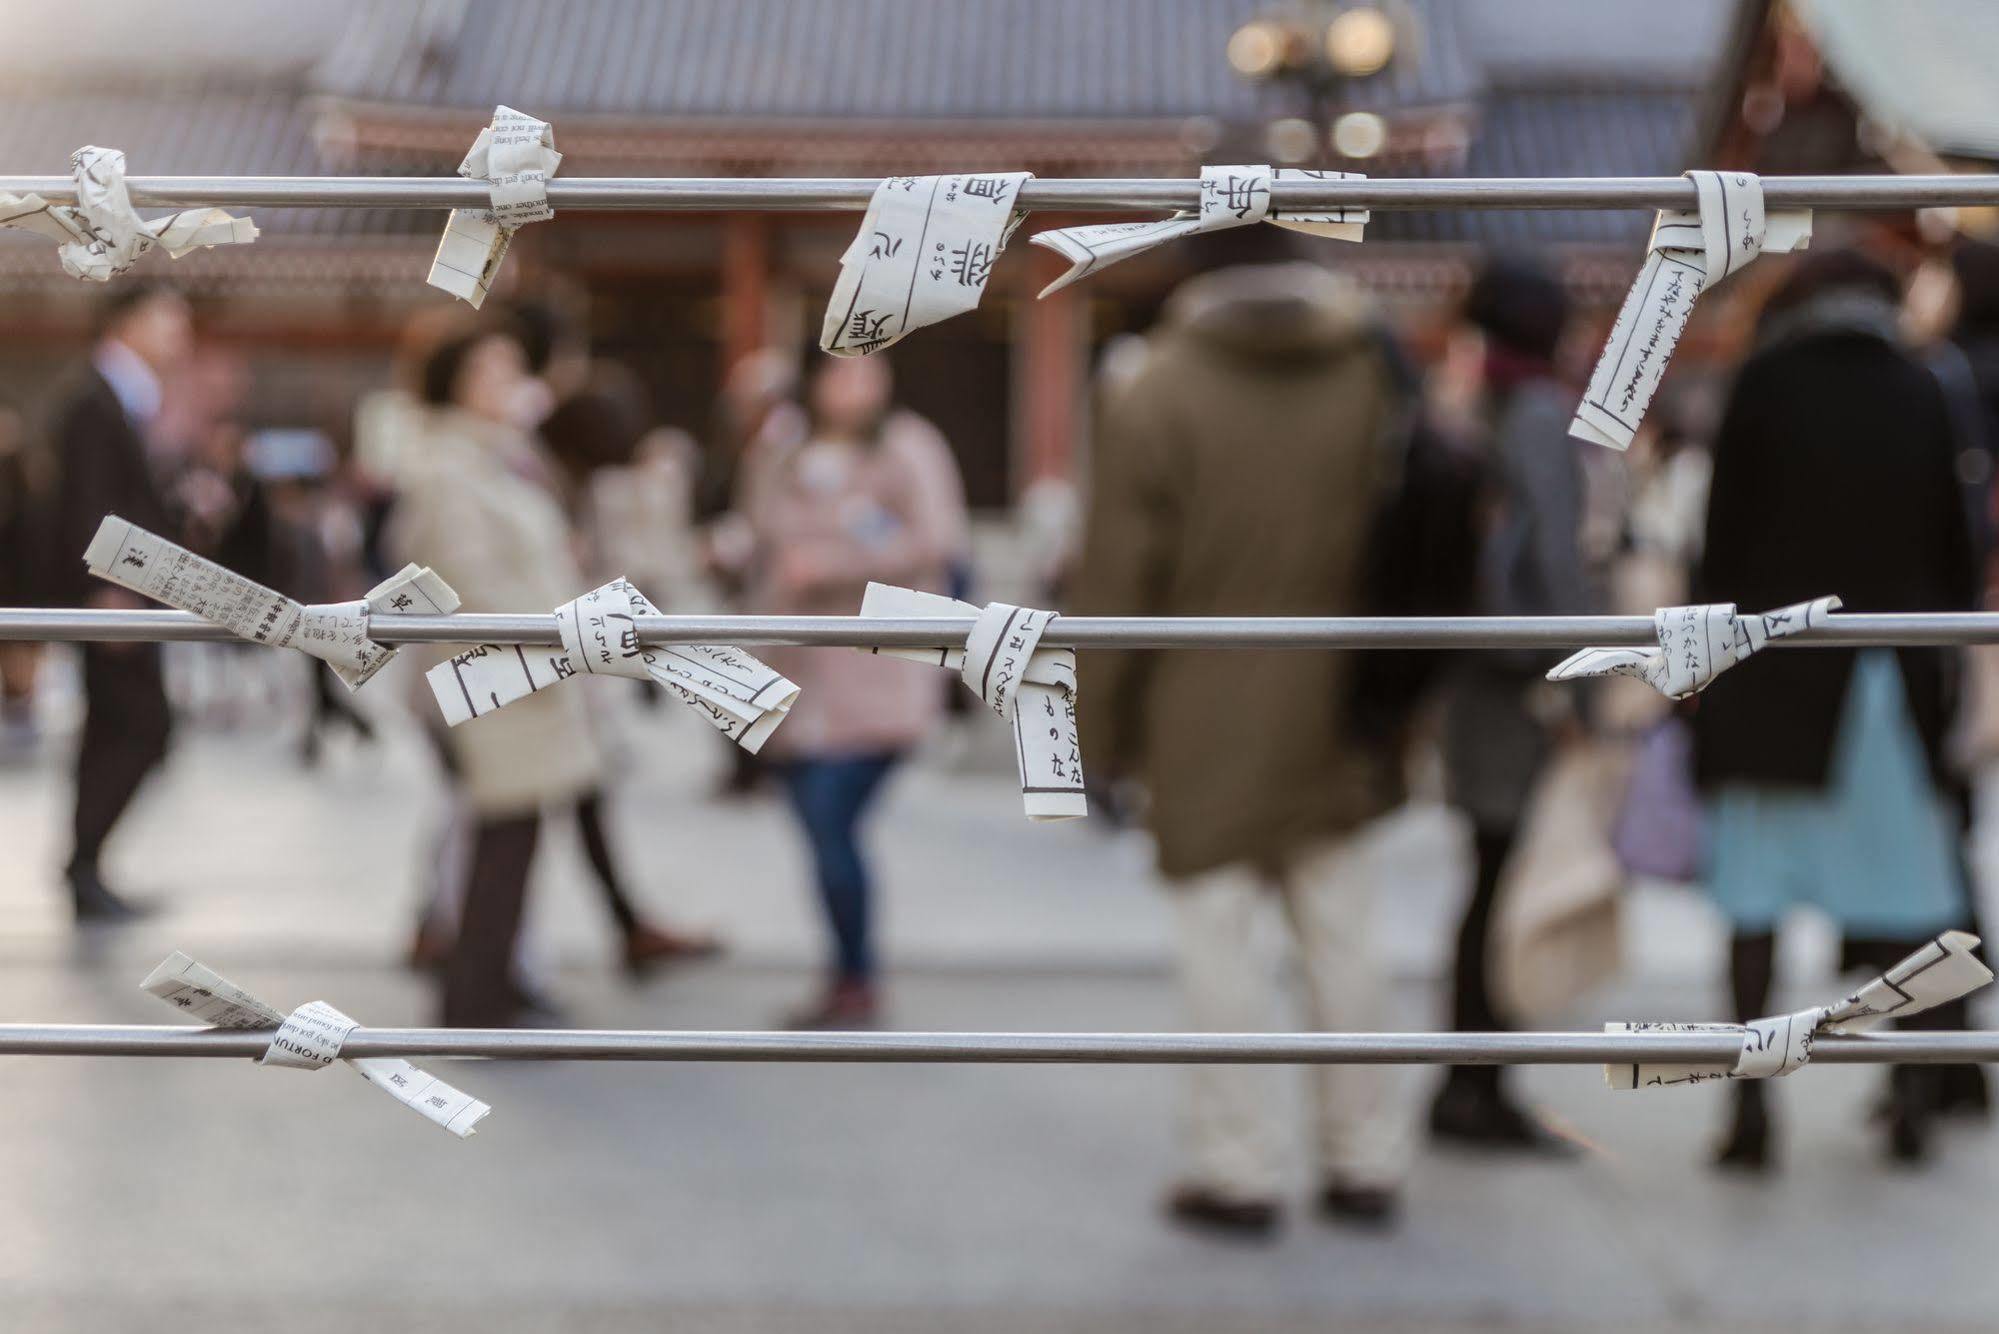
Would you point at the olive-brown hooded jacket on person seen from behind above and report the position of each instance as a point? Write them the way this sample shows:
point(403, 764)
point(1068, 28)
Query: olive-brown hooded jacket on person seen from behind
point(1236, 475)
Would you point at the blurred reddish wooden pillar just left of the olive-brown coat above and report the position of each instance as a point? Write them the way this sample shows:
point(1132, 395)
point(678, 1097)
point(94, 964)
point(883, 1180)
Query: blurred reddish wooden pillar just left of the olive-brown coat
point(1052, 345)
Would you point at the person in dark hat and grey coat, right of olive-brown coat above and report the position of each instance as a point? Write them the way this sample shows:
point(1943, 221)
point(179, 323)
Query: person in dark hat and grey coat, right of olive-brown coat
point(1502, 721)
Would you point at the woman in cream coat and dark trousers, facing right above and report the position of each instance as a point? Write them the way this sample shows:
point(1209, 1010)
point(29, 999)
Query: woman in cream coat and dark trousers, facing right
point(477, 501)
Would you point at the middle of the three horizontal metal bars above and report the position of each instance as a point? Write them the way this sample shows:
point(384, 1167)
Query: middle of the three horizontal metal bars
point(1850, 631)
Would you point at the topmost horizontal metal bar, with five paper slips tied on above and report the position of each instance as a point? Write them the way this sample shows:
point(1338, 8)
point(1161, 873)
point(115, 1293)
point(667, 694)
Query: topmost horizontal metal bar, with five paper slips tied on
point(1106, 195)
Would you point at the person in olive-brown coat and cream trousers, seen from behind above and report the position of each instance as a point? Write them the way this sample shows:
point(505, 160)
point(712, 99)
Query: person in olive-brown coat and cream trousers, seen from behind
point(1236, 475)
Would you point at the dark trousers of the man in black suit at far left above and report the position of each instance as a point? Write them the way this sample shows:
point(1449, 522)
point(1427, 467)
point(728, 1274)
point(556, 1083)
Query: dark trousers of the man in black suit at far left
point(127, 725)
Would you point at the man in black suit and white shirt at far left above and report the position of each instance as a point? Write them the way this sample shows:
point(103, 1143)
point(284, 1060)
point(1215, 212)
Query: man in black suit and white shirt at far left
point(101, 467)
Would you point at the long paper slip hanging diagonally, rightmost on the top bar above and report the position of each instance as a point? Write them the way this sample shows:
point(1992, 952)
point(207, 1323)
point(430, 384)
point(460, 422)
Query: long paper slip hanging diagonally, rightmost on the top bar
point(1688, 255)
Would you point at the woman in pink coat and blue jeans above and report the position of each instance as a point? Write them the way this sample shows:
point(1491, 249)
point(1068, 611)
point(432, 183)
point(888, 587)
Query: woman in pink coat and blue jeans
point(871, 495)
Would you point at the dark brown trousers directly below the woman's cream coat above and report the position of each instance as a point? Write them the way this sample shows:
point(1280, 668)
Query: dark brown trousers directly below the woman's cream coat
point(479, 981)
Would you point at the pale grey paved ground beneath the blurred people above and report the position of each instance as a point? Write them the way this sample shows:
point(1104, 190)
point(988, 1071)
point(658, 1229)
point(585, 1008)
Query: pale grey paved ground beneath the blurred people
point(155, 1195)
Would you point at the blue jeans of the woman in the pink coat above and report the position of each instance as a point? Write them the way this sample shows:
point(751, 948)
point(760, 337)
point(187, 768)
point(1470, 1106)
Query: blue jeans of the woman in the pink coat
point(831, 797)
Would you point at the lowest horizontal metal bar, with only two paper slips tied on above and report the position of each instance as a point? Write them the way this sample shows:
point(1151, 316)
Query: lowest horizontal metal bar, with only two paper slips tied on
point(1116, 1049)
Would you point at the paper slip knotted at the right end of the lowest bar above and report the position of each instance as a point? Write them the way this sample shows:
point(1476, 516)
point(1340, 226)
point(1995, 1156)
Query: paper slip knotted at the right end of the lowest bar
point(1772, 1047)
